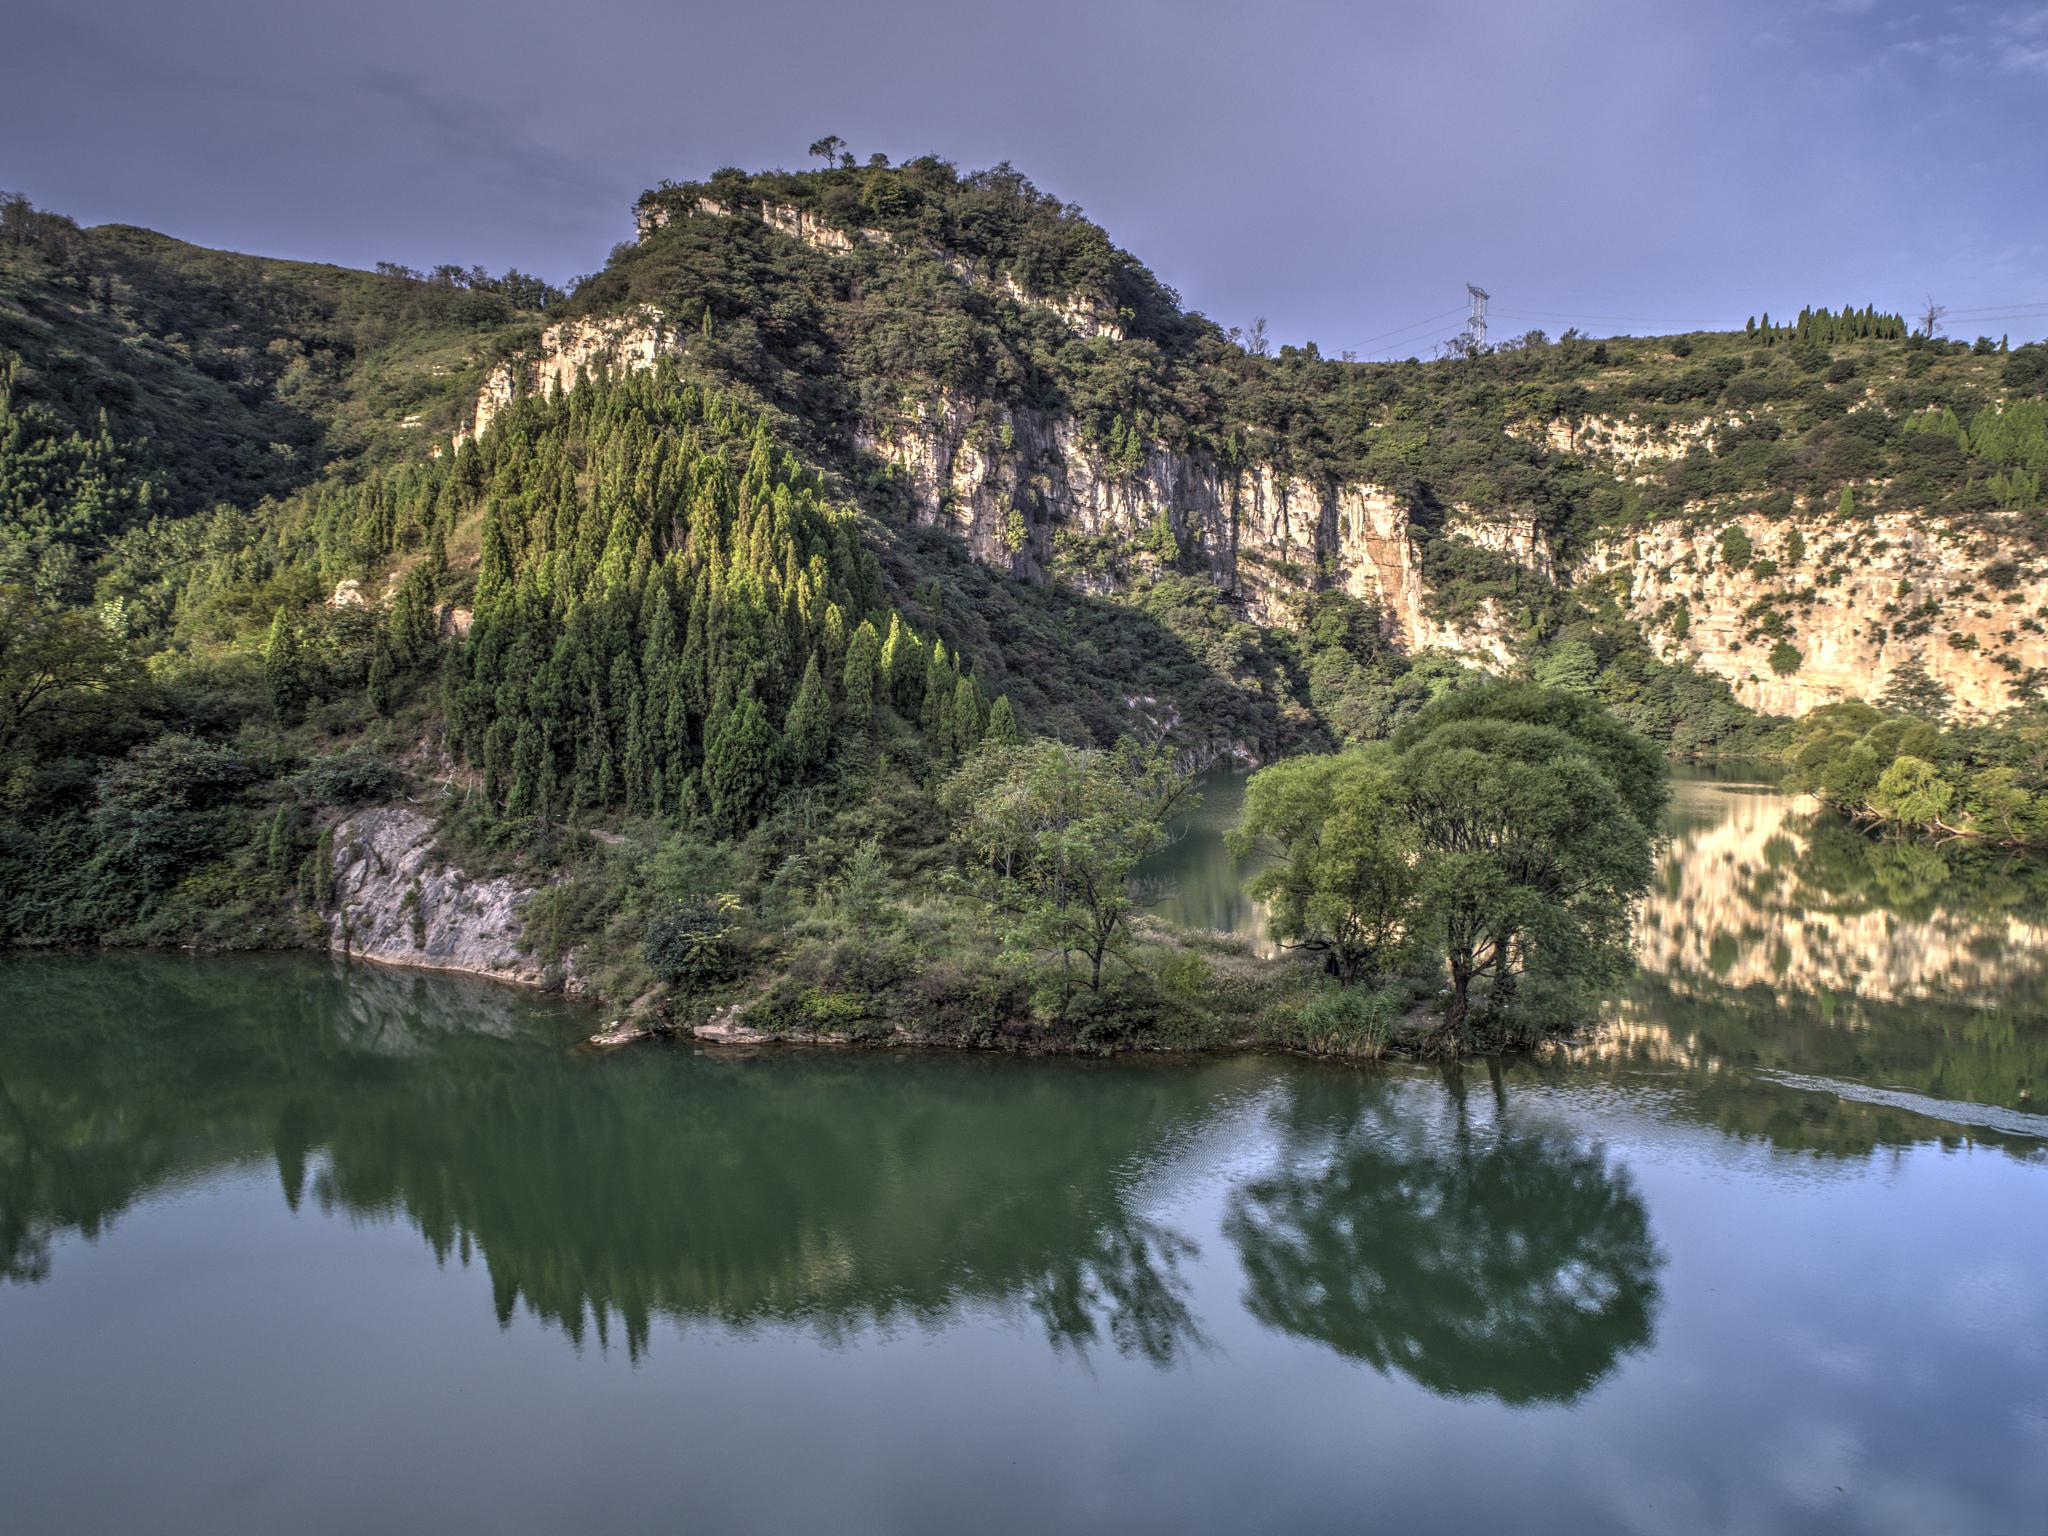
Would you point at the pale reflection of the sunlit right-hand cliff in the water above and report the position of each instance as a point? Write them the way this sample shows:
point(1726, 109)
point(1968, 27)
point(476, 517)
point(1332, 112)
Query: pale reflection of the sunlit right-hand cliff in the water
point(1783, 939)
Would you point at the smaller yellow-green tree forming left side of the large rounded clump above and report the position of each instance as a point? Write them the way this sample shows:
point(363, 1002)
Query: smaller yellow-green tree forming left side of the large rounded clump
point(1345, 859)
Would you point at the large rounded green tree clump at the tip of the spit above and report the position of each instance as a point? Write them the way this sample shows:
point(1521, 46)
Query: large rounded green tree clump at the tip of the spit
point(1504, 833)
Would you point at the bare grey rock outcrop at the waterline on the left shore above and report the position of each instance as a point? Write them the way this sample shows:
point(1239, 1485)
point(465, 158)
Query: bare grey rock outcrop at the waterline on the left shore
point(400, 904)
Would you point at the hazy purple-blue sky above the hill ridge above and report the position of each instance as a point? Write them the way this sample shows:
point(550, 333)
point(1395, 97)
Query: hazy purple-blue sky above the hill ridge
point(1336, 169)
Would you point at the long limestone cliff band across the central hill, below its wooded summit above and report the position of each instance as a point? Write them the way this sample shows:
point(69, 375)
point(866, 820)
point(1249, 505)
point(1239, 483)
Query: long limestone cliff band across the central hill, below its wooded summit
point(1023, 488)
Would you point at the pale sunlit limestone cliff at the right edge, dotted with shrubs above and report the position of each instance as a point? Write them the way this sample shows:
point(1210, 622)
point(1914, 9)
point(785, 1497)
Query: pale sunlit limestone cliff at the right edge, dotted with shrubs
point(1859, 599)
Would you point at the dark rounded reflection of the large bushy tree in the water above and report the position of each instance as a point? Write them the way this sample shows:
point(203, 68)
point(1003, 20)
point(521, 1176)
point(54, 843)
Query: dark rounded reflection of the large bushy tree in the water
point(1467, 1254)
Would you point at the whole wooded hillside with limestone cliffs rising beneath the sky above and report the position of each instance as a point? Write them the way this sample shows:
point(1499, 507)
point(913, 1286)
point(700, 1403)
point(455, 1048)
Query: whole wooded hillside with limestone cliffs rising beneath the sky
point(706, 577)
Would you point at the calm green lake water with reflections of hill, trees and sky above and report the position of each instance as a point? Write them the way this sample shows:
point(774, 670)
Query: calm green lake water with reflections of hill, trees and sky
point(294, 1248)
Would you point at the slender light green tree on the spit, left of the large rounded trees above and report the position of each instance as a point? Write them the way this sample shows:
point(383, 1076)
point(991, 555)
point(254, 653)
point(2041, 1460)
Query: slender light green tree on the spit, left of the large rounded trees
point(1060, 833)
